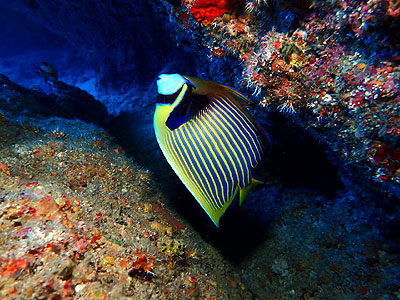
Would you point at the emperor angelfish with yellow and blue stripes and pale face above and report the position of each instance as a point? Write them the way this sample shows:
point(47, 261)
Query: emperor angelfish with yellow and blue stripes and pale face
point(211, 142)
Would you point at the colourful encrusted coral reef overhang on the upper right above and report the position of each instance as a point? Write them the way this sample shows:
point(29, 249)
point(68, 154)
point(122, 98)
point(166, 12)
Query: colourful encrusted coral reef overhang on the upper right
point(336, 67)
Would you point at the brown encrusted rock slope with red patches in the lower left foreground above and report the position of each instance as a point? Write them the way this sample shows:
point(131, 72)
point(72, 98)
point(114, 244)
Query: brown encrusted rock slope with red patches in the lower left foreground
point(79, 220)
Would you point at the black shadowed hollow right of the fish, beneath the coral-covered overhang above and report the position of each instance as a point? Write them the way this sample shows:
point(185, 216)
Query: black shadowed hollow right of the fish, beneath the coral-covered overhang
point(299, 161)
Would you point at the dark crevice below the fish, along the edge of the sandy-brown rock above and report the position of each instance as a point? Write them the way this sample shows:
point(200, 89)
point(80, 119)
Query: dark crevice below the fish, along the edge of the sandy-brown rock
point(240, 231)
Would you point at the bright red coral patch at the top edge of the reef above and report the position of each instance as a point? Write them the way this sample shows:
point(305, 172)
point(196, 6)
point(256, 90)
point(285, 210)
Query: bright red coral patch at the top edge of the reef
point(207, 10)
